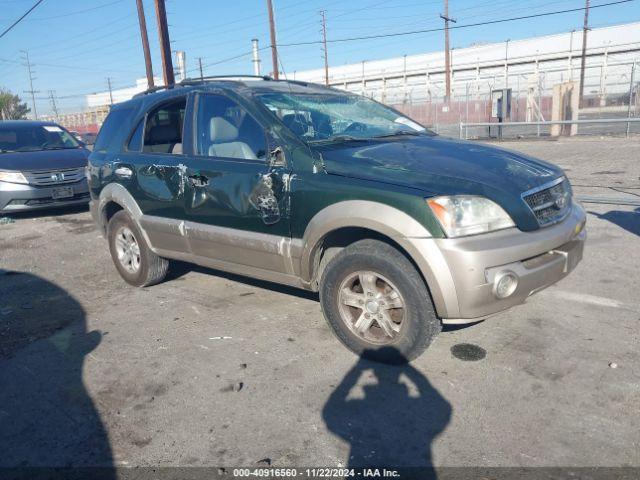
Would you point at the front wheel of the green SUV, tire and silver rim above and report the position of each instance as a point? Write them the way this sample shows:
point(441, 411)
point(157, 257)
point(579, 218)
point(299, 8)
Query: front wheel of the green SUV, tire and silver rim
point(371, 271)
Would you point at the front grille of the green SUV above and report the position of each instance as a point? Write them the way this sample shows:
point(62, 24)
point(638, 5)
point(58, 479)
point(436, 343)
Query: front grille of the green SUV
point(550, 203)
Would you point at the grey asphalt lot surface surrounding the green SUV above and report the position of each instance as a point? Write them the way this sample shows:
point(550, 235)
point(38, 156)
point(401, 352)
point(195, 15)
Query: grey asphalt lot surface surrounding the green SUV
point(209, 369)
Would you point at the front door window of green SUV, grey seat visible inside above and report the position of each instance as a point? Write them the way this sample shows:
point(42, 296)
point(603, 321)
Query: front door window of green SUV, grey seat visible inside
point(225, 129)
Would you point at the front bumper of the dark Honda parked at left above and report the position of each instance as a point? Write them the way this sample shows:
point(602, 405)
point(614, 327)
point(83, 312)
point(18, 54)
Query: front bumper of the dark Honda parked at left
point(16, 197)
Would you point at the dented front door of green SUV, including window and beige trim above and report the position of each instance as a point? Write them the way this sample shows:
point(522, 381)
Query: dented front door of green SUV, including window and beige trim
point(236, 190)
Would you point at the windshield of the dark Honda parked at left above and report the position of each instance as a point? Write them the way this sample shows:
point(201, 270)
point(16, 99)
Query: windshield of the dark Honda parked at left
point(31, 138)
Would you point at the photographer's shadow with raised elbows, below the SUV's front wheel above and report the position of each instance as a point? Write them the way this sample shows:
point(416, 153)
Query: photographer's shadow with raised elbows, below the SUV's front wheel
point(389, 415)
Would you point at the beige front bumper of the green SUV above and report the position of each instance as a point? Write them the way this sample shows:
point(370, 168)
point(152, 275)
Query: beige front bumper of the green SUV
point(466, 269)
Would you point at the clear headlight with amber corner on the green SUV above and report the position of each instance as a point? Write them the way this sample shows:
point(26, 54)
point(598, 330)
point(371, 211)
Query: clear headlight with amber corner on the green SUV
point(468, 215)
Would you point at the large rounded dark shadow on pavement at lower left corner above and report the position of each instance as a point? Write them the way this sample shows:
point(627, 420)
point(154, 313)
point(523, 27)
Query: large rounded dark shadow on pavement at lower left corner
point(49, 426)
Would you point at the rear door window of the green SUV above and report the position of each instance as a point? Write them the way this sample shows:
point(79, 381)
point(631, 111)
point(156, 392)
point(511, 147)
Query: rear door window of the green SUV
point(163, 130)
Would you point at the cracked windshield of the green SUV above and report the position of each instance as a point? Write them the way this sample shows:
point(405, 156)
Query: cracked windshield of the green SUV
point(334, 116)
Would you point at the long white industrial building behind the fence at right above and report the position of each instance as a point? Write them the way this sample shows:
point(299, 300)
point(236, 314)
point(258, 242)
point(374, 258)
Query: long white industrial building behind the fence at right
point(538, 62)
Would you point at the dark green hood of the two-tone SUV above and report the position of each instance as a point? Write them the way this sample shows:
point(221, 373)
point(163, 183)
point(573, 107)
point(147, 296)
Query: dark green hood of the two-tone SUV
point(444, 166)
